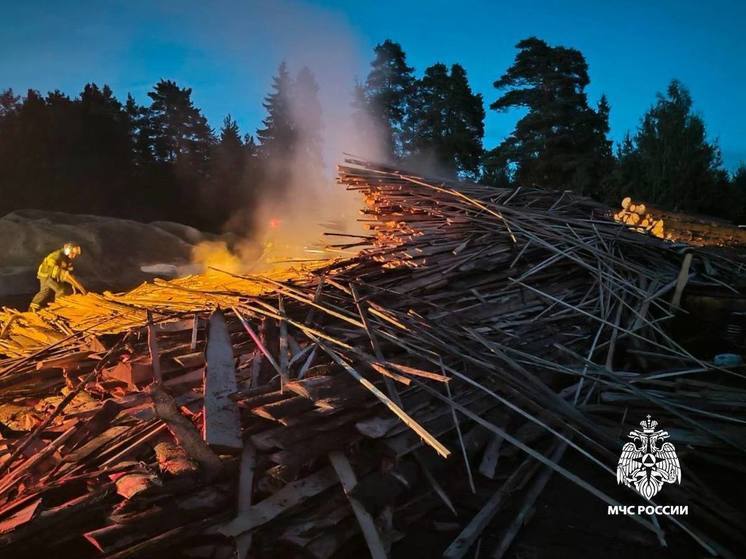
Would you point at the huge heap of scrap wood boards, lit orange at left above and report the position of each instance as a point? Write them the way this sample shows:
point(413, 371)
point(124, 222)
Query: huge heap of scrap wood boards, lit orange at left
point(481, 341)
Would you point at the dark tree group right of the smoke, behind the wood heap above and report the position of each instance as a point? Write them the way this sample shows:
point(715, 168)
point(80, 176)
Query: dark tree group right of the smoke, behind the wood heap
point(560, 142)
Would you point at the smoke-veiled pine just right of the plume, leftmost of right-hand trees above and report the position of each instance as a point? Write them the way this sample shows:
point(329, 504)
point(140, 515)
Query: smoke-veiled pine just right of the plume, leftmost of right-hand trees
point(386, 95)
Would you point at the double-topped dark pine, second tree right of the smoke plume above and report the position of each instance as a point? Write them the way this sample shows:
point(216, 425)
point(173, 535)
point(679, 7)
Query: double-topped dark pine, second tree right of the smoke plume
point(446, 122)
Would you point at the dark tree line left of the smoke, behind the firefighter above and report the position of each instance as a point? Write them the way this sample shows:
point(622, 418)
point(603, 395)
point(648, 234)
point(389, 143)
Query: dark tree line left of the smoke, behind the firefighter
point(159, 161)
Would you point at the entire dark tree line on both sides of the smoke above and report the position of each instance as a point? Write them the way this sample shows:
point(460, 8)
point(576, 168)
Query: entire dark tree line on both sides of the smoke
point(161, 160)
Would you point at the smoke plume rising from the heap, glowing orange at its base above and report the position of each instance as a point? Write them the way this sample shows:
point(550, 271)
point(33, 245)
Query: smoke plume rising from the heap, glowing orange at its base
point(296, 203)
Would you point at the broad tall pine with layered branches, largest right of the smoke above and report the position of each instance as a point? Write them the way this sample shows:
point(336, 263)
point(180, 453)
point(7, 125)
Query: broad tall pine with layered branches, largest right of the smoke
point(561, 141)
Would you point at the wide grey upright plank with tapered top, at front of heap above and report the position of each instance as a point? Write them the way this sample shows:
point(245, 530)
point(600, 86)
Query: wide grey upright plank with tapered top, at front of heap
point(222, 424)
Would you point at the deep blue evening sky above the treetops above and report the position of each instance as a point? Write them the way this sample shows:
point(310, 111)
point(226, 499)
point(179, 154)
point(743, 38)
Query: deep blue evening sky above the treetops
point(227, 51)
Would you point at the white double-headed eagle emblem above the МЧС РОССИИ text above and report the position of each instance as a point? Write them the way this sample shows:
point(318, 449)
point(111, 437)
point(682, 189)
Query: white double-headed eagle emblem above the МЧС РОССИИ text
point(645, 463)
